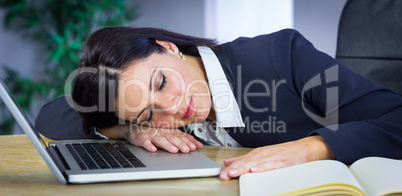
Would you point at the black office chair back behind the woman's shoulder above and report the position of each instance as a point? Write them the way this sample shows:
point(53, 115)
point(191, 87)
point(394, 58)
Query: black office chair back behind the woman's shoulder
point(370, 40)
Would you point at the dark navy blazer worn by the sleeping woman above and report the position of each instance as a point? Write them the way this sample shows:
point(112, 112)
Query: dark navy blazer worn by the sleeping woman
point(287, 90)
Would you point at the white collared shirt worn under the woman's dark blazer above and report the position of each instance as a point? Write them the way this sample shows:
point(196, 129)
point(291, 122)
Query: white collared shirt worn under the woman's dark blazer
point(226, 109)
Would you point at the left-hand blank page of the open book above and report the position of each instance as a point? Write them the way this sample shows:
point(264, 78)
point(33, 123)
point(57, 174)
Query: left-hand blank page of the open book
point(298, 177)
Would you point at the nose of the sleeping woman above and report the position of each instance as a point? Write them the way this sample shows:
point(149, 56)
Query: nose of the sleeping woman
point(168, 104)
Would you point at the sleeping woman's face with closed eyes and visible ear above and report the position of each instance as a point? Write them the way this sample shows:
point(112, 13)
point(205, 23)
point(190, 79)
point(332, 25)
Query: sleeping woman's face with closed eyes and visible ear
point(163, 91)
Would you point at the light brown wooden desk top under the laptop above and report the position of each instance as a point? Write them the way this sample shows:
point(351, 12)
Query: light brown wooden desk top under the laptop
point(23, 172)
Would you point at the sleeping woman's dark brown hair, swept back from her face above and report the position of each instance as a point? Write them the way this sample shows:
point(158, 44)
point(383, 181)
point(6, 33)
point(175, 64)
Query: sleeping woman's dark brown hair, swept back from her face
point(110, 51)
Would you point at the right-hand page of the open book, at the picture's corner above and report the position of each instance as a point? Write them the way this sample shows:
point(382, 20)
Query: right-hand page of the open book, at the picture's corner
point(378, 176)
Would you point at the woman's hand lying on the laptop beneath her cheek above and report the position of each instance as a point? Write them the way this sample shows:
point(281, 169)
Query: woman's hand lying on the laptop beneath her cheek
point(172, 140)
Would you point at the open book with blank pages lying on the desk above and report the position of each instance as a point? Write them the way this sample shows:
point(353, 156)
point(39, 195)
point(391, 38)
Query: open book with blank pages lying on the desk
point(367, 176)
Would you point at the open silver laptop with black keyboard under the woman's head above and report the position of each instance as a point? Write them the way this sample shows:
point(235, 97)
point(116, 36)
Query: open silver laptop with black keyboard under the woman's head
point(92, 161)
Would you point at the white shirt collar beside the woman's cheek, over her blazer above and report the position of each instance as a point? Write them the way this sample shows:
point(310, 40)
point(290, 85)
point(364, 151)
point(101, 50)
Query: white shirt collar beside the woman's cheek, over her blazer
point(226, 109)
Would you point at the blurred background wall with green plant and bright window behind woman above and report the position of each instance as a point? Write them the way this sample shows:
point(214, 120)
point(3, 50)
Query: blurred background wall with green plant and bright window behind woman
point(40, 40)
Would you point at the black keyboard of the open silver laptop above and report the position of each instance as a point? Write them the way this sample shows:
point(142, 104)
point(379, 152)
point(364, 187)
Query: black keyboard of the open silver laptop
point(103, 156)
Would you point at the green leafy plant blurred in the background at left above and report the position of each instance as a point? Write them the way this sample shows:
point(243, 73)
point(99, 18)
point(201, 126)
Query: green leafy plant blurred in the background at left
point(61, 26)
